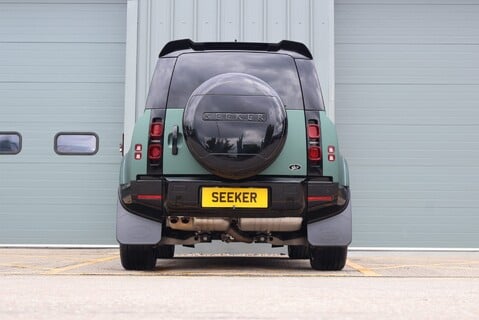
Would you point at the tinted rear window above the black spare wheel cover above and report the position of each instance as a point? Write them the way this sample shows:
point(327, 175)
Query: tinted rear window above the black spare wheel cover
point(278, 70)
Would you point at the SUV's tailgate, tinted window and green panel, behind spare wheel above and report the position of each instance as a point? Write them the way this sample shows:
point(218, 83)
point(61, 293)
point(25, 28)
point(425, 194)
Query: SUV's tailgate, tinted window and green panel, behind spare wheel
point(193, 69)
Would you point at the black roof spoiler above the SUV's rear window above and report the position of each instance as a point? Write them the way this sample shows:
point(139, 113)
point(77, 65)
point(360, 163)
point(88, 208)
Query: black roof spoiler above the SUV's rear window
point(185, 44)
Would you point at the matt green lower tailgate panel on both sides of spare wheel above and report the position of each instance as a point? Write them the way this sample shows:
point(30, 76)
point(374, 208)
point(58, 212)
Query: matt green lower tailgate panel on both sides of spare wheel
point(293, 153)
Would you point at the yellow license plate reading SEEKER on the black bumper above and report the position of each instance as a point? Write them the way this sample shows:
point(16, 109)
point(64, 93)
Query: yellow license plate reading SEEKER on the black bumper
point(219, 197)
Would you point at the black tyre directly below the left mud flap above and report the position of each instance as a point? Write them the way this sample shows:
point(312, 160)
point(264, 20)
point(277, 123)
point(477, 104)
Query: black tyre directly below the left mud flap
point(137, 257)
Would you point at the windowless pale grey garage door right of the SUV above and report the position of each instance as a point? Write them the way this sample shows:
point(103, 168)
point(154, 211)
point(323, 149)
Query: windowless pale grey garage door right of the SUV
point(408, 114)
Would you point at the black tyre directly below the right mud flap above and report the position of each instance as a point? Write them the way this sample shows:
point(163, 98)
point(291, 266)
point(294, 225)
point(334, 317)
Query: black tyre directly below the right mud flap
point(328, 258)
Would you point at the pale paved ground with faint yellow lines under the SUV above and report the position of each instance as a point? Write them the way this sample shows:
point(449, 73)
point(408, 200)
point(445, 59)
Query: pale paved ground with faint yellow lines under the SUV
point(81, 284)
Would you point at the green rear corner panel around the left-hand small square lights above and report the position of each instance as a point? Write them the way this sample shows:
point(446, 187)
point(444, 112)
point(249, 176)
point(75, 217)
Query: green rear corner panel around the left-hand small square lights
point(130, 167)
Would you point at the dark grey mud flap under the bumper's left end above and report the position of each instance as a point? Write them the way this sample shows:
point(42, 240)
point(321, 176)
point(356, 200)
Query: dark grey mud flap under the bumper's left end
point(132, 229)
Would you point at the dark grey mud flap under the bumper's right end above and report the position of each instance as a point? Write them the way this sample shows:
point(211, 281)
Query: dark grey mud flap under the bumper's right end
point(334, 231)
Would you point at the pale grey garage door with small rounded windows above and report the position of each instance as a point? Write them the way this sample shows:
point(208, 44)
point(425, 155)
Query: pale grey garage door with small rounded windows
point(61, 70)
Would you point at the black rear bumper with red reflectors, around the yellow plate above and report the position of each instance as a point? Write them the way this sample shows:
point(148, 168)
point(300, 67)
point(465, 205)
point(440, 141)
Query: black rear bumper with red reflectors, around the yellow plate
point(156, 198)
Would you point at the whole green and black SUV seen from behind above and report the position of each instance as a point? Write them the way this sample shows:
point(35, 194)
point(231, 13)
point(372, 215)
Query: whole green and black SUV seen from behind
point(234, 145)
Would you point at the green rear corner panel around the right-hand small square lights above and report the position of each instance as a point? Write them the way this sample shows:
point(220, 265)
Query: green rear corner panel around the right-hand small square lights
point(337, 169)
